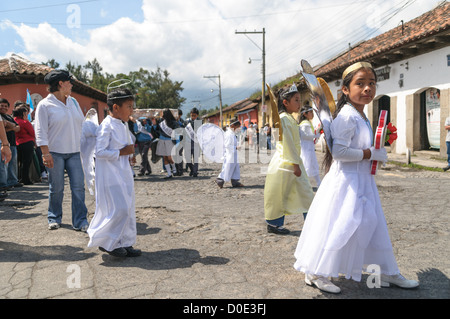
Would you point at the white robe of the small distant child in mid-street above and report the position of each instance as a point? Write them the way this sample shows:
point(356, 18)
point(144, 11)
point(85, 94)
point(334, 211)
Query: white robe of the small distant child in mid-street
point(230, 167)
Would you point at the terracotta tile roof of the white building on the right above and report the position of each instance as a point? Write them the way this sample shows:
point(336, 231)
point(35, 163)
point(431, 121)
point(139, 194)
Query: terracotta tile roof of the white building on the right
point(395, 44)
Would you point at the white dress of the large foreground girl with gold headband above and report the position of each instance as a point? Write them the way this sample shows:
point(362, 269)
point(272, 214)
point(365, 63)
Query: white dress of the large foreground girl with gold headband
point(346, 230)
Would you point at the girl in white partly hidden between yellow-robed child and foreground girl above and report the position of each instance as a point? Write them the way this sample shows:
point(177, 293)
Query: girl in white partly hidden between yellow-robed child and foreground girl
point(308, 137)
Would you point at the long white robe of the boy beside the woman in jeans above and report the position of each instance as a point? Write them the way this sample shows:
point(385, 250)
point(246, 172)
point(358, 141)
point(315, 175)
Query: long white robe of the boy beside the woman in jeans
point(114, 221)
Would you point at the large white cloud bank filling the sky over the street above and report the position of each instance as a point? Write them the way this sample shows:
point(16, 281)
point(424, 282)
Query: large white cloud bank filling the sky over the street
point(195, 38)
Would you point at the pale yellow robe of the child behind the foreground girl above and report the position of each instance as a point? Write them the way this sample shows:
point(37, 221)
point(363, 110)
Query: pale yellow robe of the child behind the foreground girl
point(285, 193)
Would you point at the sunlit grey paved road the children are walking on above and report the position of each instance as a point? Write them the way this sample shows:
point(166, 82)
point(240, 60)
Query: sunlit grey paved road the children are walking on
point(202, 242)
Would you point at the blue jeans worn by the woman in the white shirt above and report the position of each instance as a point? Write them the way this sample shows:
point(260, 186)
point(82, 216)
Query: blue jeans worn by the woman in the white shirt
point(72, 164)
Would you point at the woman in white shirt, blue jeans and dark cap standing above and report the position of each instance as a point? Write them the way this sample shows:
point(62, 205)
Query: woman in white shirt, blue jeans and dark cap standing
point(59, 121)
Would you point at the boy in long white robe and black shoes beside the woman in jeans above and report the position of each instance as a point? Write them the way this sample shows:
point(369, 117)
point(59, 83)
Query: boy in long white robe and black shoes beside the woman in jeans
point(113, 227)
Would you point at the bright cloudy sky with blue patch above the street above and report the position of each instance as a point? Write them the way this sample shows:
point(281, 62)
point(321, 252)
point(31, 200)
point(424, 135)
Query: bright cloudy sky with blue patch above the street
point(196, 38)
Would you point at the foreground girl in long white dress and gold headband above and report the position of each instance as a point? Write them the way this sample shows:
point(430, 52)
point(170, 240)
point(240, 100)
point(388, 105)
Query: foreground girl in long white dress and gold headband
point(346, 229)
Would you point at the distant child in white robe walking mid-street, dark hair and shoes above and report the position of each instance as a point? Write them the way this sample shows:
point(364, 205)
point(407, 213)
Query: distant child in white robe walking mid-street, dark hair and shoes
point(230, 168)
